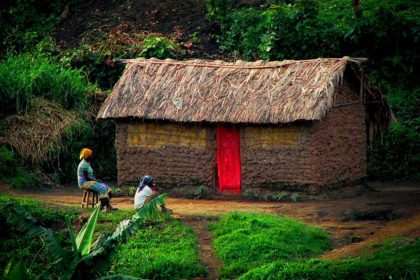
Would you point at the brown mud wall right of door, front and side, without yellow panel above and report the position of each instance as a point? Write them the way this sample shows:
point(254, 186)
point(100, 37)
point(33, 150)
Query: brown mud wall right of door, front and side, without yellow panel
point(329, 153)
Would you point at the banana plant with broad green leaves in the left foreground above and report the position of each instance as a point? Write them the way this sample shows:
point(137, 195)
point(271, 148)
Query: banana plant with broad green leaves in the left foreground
point(86, 259)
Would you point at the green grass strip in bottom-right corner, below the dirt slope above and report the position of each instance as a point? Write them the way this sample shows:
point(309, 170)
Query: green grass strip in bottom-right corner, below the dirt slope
point(398, 259)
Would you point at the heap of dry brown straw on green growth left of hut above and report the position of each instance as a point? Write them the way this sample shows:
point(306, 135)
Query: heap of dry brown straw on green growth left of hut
point(37, 134)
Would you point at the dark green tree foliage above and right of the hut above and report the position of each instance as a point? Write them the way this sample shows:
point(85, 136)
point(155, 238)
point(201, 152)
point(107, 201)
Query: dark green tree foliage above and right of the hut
point(386, 32)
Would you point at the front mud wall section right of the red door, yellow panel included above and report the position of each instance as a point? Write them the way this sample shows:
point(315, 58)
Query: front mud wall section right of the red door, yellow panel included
point(281, 164)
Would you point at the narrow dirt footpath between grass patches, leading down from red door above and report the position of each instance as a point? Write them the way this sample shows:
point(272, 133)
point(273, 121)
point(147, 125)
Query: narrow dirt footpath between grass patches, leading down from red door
point(206, 250)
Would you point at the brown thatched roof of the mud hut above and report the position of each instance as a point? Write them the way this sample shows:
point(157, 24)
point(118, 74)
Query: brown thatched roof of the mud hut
point(240, 92)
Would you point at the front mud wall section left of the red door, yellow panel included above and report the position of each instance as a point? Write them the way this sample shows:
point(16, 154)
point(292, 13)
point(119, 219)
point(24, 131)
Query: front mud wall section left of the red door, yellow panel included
point(175, 154)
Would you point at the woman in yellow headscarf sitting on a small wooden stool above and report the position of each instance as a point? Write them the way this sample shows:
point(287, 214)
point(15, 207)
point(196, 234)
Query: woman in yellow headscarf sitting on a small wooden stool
point(87, 181)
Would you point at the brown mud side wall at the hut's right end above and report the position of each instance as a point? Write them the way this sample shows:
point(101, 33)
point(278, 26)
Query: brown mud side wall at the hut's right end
point(337, 146)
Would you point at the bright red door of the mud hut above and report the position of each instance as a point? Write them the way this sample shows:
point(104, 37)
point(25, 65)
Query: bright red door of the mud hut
point(228, 159)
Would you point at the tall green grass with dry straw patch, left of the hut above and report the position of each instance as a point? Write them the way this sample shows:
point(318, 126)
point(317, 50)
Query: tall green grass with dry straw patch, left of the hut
point(48, 115)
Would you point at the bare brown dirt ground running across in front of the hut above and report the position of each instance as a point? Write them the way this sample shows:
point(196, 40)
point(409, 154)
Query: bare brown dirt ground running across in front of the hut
point(393, 210)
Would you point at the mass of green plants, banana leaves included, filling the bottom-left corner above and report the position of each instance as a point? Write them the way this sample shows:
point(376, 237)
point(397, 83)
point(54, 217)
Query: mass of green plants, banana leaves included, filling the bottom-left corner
point(61, 253)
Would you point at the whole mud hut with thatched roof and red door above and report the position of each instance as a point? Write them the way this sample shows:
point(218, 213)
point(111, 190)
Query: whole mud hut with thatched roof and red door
point(233, 126)
